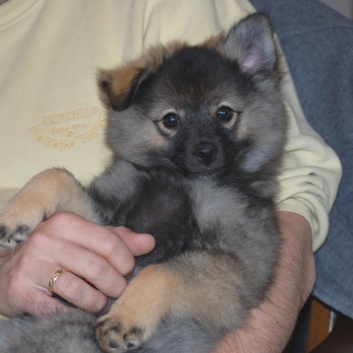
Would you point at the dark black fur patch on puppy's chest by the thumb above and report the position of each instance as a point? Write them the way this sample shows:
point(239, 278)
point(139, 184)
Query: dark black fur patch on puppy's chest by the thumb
point(161, 207)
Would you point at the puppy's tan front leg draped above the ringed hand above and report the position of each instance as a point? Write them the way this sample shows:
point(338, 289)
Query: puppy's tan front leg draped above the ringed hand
point(45, 194)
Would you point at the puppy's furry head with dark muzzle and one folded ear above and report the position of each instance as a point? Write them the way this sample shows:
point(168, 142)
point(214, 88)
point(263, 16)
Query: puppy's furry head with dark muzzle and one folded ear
point(200, 110)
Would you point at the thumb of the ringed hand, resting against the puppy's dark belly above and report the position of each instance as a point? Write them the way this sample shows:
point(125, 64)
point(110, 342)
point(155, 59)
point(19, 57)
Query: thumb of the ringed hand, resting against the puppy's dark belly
point(138, 243)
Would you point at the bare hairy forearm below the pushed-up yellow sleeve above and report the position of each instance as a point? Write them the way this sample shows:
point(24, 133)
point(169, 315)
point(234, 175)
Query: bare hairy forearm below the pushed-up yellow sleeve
point(270, 326)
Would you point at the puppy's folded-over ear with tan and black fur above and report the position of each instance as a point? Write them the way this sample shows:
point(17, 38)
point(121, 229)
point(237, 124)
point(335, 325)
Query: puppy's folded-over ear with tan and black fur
point(117, 87)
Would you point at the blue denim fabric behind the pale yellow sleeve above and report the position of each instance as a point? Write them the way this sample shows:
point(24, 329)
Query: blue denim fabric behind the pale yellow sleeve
point(318, 44)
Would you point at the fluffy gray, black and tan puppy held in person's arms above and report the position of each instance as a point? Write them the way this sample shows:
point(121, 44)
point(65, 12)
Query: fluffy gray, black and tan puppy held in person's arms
point(198, 134)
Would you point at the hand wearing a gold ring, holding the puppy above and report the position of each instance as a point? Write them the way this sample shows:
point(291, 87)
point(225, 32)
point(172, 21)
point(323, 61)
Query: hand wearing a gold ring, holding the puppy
point(97, 260)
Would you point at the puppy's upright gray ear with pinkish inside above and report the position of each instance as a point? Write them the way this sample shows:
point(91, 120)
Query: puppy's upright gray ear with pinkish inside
point(251, 43)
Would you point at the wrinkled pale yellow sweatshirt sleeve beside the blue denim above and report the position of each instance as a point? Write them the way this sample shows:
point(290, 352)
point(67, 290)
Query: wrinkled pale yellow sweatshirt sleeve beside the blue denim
point(311, 171)
